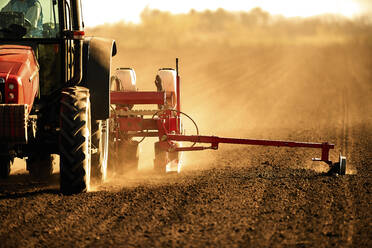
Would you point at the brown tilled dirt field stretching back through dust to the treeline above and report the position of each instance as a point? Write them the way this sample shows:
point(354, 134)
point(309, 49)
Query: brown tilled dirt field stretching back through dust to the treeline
point(238, 196)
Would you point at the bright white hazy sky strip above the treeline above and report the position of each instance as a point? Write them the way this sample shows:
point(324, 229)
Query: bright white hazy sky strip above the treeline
point(98, 12)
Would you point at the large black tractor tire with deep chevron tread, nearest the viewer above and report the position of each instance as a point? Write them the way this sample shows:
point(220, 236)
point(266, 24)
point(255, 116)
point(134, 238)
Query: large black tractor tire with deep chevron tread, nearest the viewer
point(75, 142)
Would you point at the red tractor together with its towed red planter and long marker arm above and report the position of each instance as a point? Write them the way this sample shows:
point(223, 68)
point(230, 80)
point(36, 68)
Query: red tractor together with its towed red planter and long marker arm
point(55, 99)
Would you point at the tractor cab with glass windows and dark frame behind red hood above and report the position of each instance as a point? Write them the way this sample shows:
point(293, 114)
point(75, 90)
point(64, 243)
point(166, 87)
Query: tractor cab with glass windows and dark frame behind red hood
point(47, 26)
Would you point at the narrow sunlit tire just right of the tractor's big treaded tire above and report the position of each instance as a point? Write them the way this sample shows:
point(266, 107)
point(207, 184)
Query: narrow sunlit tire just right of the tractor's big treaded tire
point(100, 145)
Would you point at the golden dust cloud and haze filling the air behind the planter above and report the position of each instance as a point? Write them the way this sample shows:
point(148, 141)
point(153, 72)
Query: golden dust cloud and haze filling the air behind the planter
point(250, 74)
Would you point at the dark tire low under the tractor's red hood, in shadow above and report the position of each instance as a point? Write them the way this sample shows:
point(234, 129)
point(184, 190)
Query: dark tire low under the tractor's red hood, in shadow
point(40, 167)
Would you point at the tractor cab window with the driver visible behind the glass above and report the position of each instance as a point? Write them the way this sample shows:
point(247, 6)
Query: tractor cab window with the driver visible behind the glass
point(29, 19)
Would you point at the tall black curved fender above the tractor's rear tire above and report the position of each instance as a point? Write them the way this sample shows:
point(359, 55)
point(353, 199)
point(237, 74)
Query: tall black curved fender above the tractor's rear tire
point(97, 55)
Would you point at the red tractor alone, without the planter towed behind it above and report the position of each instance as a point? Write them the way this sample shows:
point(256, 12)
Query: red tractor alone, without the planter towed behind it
point(54, 93)
